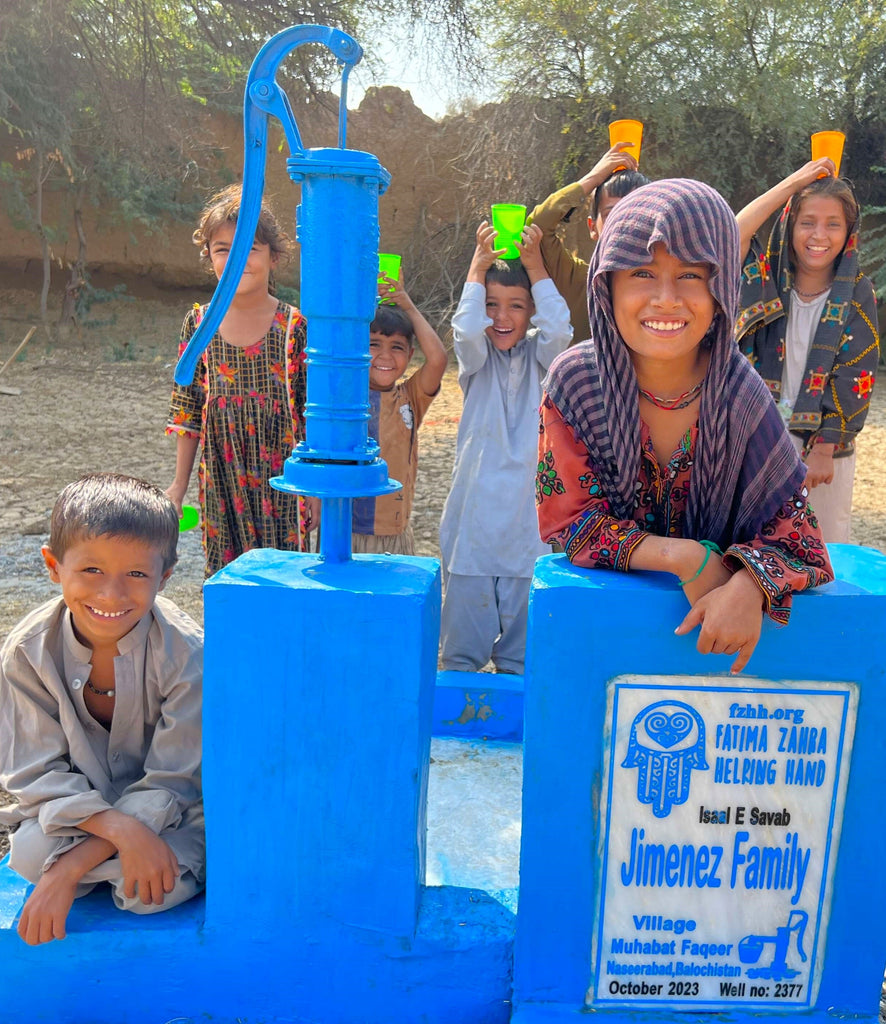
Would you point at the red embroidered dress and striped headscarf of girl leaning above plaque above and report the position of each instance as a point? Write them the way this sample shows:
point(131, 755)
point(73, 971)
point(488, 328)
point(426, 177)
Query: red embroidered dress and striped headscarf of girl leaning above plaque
point(735, 479)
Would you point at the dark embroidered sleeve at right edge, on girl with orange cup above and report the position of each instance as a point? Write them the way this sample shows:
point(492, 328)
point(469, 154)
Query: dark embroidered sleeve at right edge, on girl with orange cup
point(848, 395)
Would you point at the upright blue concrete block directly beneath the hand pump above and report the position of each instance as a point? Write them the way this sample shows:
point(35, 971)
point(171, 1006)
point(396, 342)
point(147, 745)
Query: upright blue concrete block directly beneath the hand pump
point(334, 671)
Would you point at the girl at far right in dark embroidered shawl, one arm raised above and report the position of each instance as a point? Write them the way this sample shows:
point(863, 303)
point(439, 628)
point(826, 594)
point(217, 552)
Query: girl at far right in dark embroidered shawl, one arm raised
point(809, 324)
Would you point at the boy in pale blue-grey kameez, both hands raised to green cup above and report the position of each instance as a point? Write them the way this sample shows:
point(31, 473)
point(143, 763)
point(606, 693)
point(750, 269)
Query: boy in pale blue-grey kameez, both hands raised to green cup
point(510, 326)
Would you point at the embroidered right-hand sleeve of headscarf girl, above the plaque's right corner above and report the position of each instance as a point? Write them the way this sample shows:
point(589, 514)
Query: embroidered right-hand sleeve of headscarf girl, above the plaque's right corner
point(789, 556)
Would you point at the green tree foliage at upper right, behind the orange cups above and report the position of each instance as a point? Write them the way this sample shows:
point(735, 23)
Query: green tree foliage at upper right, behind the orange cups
point(729, 91)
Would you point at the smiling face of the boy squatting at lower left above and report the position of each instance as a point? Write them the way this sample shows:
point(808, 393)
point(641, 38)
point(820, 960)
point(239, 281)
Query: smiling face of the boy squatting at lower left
point(109, 583)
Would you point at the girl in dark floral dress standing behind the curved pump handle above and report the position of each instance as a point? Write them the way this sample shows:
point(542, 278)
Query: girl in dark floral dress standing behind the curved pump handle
point(244, 409)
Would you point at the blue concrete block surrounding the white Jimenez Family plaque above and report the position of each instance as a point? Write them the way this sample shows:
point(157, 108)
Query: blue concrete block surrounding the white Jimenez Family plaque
point(587, 628)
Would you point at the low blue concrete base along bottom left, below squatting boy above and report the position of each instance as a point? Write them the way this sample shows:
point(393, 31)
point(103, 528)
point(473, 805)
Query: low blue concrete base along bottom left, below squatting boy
point(115, 968)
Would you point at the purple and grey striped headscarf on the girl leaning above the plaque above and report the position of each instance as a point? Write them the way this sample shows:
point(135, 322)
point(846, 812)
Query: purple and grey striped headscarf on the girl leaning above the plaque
point(745, 466)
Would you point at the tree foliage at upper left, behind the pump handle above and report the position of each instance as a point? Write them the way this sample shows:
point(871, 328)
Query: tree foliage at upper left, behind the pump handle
point(104, 97)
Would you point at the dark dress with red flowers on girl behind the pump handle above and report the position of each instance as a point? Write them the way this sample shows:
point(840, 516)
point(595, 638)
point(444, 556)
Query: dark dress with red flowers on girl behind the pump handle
point(246, 406)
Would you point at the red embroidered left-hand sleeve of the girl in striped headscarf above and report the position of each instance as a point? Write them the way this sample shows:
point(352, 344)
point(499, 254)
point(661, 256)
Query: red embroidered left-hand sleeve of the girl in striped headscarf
point(573, 509)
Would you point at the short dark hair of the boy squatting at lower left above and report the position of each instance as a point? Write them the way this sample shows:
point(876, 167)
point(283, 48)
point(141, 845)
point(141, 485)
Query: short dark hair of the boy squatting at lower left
point(113, 505)
